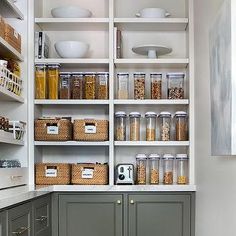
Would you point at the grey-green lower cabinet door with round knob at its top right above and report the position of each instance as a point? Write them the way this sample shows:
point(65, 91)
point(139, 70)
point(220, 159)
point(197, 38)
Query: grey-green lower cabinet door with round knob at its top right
point(90, 215)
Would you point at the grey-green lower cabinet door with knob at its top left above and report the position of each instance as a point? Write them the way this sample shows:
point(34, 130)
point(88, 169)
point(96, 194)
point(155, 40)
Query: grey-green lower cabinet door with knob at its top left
point(164, 215)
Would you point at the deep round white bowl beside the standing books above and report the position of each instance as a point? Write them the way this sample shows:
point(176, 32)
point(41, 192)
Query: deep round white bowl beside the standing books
point(71, 49)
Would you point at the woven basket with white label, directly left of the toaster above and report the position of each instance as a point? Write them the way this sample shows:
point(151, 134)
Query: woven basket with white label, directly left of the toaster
point(89, 174)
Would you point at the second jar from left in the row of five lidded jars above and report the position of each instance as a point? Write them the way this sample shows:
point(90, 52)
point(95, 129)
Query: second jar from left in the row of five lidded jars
point(135, 126)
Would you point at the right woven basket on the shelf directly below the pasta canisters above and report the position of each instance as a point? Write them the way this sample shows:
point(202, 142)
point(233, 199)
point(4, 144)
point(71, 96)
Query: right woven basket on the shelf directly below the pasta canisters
point(91, 130)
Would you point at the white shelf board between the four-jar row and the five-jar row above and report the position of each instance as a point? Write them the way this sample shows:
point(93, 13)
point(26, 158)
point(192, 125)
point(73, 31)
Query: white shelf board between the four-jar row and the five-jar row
point(152, 102)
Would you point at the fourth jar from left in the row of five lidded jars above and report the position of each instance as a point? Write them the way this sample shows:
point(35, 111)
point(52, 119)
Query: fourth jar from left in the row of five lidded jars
point(164, 126)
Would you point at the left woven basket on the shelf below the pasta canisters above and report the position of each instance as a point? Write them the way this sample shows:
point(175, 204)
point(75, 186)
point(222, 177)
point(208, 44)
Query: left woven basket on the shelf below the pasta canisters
point(61, 130)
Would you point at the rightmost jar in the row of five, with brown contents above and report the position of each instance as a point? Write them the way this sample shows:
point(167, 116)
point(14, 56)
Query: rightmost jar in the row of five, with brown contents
point(181, 126)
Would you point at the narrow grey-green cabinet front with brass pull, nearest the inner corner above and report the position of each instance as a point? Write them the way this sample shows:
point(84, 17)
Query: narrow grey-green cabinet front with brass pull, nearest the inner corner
point(42, 216)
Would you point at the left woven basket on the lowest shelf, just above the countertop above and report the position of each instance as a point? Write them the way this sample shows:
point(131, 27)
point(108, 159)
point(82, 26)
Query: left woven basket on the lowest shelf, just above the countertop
point(52, 173)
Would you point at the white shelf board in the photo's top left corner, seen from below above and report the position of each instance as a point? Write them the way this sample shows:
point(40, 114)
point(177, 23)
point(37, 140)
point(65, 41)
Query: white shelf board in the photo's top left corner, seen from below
point(9, 10)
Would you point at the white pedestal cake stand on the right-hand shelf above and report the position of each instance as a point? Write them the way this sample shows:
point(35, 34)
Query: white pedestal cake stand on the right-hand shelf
point(152, 51)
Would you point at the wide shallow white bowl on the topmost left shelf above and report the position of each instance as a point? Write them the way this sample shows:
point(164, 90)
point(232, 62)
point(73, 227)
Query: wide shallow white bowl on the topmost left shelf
point(70, 12)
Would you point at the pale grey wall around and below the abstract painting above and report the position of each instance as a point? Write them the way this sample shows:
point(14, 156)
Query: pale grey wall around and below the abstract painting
point(216, 176)
